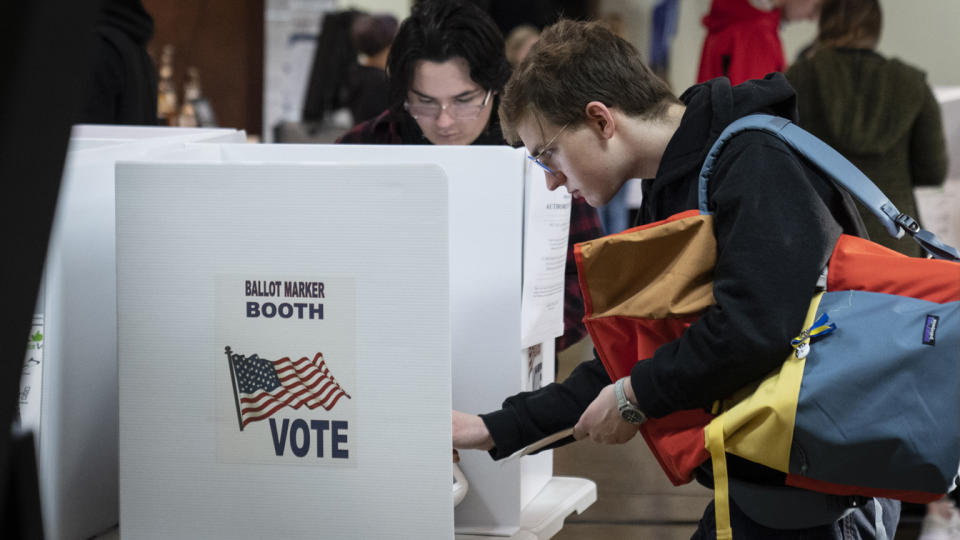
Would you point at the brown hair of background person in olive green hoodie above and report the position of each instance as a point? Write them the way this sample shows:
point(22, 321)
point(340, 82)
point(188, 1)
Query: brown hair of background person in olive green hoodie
point(849, 23)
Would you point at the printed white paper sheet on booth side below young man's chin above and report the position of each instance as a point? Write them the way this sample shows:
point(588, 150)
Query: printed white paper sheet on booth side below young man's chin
point(546, 230)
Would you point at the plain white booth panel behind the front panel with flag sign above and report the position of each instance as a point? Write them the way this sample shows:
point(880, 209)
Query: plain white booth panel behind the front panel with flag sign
point(487, 208)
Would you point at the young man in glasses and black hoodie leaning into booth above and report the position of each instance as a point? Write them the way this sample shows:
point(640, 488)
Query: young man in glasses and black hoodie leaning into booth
point(593, 116)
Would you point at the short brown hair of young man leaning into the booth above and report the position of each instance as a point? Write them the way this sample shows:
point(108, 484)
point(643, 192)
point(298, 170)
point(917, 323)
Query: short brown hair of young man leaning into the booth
point(573, 64)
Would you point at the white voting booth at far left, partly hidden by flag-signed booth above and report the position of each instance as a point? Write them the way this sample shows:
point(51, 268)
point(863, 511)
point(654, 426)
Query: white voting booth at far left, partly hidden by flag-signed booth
point(68, 391)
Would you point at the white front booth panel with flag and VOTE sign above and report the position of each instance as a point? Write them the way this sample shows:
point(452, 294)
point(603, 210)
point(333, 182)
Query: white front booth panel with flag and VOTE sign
point(284, 360)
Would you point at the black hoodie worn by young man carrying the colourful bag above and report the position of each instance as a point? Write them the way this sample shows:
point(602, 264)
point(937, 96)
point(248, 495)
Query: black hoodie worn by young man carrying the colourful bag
point(777, 220)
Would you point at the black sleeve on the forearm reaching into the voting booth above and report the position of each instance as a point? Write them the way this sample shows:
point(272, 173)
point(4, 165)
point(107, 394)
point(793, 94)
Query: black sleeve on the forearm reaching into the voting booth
point(530, 416)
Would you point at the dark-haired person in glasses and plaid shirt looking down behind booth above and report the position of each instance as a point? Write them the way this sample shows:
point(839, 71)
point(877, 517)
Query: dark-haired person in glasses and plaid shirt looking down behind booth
point(446, 70)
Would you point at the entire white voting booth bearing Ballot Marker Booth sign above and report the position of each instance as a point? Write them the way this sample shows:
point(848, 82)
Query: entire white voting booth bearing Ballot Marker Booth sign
point(420, 251)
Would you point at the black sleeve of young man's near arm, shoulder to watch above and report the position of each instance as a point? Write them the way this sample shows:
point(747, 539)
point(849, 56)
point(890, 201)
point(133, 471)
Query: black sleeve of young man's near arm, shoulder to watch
point(775, 232)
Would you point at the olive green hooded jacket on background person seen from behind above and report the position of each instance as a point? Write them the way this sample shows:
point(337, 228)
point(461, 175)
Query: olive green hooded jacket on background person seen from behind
point(881, 115)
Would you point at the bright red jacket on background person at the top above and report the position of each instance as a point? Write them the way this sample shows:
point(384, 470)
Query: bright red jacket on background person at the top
point(743, 40)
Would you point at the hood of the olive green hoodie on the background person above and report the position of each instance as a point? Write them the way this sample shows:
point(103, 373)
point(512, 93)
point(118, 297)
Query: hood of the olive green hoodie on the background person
point(858, 101)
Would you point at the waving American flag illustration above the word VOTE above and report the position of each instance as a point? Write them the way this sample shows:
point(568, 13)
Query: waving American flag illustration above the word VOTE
point(262, 387)
